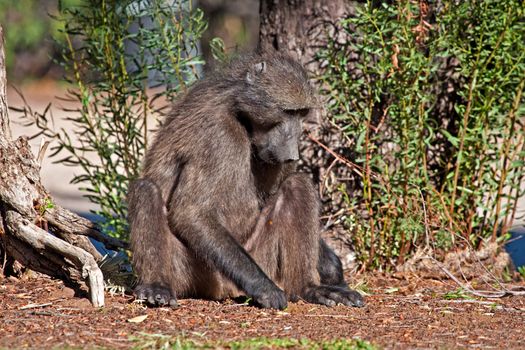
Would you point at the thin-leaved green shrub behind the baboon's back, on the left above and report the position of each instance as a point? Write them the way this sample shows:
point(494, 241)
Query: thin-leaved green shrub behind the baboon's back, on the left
point(124, 60)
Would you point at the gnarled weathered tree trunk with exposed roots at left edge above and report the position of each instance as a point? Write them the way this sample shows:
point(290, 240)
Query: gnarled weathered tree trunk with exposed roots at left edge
point(35, 232)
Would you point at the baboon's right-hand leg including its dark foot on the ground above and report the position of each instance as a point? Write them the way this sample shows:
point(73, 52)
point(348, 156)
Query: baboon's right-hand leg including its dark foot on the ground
point(286, 244)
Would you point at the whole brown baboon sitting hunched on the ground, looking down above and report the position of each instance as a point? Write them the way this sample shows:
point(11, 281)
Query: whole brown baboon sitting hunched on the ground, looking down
point(220, 210)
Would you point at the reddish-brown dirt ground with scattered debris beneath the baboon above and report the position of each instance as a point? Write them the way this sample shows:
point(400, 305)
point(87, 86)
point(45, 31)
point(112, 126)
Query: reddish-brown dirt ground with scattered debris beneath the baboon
point(400, 313)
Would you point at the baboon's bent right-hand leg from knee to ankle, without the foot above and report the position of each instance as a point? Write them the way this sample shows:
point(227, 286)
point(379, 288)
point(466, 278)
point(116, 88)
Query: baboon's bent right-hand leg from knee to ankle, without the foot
point(285, 242)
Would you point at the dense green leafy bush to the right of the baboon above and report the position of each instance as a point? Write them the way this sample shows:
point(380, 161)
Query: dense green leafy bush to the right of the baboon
point(431, 106)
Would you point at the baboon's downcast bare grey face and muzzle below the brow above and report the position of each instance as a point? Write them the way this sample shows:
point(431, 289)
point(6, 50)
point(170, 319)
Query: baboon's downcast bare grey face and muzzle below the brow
point(279, 142)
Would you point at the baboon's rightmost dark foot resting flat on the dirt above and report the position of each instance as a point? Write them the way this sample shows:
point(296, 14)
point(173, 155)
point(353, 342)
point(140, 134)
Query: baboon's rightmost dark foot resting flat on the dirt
point(333, 295)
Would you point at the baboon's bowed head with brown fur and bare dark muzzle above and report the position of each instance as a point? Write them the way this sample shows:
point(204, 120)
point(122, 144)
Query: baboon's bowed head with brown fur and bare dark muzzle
point(273, 100)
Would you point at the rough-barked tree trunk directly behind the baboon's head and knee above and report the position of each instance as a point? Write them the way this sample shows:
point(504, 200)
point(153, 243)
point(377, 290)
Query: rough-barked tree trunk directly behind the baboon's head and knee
point(300, 29)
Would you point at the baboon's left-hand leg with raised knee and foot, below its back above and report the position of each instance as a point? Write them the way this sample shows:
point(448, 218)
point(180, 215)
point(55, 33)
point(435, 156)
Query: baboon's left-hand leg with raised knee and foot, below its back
point(161, 261)
